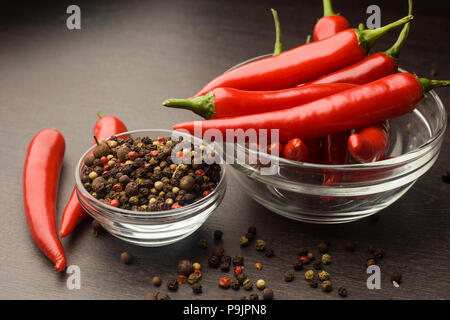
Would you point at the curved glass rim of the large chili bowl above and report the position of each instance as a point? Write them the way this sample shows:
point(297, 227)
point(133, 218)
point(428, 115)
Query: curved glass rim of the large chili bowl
point(403, 158)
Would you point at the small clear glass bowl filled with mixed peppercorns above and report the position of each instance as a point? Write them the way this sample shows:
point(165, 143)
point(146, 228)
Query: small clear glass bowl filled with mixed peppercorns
point(160, 201)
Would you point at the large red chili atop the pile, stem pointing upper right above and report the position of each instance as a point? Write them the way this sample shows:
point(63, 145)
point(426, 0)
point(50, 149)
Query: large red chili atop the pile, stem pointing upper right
point(304, 63)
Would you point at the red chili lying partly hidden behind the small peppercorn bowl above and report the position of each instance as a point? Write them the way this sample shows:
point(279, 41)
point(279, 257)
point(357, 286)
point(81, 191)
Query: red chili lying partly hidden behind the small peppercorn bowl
point(74, 213)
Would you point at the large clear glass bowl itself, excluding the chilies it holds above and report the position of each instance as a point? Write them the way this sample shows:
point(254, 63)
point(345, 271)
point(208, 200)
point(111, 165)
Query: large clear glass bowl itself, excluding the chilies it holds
point(295, 189)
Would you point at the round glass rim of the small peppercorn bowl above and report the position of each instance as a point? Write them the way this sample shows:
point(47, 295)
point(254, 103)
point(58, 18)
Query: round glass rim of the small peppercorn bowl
point(150, 214)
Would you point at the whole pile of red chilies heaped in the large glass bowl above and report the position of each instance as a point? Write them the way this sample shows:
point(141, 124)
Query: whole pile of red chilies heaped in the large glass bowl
point(330, 101)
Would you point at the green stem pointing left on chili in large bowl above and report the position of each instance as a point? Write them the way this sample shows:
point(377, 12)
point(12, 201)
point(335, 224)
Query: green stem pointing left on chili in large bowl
point(202, 105)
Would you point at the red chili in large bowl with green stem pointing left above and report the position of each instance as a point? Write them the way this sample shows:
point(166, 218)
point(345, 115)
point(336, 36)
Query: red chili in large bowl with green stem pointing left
point(229, 102)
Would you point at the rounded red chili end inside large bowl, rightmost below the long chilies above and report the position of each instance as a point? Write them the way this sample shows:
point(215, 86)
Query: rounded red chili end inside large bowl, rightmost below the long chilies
point(370, 143)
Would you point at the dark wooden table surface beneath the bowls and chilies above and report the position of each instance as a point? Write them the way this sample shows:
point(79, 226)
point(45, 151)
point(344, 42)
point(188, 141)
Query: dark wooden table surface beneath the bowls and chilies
point(130, 56)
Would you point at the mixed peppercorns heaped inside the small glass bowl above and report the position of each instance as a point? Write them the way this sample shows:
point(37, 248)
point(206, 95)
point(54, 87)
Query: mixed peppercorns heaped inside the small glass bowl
point(141, 174)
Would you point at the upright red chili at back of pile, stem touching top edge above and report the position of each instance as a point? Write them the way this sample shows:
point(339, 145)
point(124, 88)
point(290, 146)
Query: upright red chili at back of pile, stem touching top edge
point(330, 24)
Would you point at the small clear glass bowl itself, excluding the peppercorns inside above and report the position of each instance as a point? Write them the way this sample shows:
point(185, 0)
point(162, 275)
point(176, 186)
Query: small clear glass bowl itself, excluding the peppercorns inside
point(151, 229)
